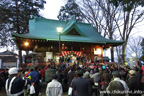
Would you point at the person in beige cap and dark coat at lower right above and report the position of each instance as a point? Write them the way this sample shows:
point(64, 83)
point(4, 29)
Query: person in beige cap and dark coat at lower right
point(134, 84)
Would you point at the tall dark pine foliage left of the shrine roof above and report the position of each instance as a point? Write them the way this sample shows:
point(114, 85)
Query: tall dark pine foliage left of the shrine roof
point(20, 12)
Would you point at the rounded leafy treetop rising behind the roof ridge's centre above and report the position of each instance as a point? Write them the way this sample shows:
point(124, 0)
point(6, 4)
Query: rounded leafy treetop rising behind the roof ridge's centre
point(70, 9)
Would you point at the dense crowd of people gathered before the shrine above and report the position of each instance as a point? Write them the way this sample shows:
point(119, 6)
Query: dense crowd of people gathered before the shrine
point(79, 80)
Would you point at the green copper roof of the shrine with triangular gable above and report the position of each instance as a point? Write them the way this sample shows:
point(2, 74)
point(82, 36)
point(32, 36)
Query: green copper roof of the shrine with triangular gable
point(41, 28)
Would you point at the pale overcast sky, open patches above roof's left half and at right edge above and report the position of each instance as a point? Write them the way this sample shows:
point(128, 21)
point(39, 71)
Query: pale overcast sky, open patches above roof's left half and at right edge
point(52, 8)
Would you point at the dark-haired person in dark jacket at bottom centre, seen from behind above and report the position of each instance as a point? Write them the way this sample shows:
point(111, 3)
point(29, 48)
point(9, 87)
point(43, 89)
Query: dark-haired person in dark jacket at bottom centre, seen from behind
point(81, 85)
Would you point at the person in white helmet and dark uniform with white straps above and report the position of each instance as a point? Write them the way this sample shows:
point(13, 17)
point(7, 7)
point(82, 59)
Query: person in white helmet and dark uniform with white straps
point(14, 84)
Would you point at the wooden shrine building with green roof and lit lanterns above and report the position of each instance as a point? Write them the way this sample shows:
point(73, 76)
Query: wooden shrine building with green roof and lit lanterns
point(76, 38)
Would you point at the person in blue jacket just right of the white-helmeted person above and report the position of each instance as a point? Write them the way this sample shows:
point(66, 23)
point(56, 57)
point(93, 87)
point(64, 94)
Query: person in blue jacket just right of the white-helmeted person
point(35, 79)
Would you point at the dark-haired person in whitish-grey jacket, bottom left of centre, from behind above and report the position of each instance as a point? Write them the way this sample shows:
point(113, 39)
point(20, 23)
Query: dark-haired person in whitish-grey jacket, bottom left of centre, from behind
point(54, 88)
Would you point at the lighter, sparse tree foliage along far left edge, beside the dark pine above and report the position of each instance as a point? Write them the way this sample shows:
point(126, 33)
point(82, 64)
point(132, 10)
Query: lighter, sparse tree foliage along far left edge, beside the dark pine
point(5, 34)
